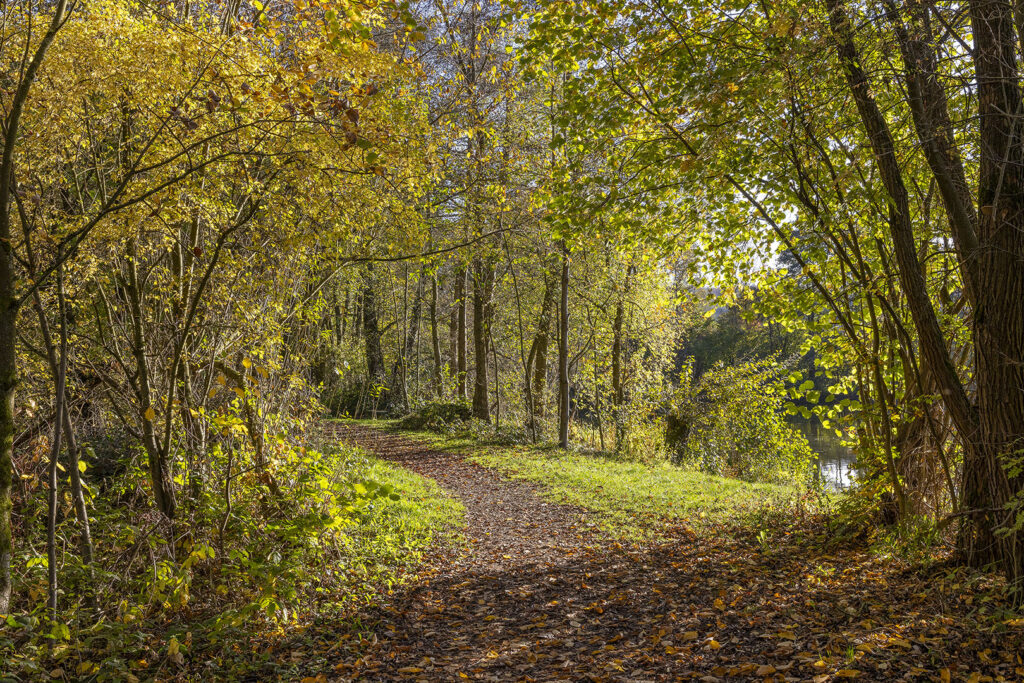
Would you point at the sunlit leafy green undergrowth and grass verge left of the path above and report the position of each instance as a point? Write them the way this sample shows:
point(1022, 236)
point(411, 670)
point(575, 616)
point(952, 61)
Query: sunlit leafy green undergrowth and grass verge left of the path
point(346, 531)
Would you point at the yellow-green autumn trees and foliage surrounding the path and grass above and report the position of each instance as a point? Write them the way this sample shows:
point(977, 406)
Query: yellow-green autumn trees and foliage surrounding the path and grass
point(662, 231)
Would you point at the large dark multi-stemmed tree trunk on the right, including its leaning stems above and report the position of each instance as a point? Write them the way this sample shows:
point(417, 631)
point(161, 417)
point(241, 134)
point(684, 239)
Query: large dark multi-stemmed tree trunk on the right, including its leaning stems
point(994, 430)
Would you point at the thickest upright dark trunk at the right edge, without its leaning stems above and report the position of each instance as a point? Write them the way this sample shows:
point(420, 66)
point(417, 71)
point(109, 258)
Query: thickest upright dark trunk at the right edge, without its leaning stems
point(999, 315)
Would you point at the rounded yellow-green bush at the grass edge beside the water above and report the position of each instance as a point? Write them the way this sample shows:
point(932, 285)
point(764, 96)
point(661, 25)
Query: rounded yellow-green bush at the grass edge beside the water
point(733, 422)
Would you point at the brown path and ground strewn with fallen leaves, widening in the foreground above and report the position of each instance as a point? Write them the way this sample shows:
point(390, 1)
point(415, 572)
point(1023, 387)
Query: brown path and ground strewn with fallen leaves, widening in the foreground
point(539, 596)
